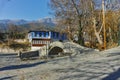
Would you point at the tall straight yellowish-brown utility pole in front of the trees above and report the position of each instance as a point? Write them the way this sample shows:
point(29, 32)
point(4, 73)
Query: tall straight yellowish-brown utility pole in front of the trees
point(104, 28)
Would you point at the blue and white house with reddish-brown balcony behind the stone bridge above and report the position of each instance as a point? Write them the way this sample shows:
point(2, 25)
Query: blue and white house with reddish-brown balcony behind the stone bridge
point(42, 38)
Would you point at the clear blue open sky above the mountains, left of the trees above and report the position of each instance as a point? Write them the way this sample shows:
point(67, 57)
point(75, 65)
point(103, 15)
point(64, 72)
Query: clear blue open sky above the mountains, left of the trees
point(24, 9)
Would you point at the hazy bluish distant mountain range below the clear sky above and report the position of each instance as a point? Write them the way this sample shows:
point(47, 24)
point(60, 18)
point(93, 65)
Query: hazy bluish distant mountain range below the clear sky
point(45, 22)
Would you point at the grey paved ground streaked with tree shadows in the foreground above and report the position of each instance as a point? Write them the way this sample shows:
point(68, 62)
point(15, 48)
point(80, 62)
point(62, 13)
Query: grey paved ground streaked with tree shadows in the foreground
point(92, 66)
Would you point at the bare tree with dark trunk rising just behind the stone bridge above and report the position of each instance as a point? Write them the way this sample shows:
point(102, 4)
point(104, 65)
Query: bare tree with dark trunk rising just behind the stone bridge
point(69, 11)
